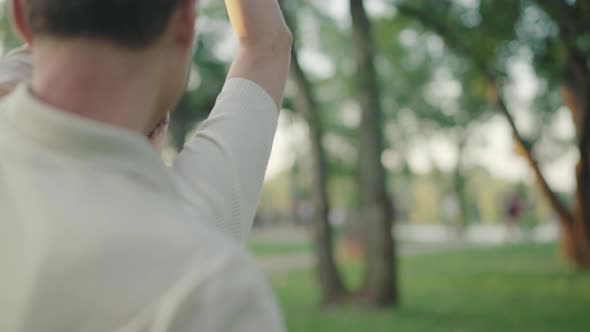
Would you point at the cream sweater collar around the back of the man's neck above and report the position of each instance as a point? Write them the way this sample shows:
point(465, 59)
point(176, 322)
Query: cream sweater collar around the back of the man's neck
point(84, 139)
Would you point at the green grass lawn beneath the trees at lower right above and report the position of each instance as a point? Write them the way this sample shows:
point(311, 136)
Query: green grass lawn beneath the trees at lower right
point(519, 288)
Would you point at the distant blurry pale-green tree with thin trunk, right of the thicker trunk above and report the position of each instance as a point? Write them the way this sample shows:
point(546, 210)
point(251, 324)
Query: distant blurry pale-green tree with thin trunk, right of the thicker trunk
point(436, 90)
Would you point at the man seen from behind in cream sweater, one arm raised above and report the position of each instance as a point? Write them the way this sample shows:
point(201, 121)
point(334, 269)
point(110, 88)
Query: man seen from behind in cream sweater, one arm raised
point(97, 234)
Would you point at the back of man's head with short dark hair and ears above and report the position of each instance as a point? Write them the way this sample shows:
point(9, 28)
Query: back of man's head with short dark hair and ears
point(155, 34)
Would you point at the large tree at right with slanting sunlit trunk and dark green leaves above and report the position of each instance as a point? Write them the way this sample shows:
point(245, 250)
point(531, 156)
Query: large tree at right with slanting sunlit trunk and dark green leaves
point(569, 48)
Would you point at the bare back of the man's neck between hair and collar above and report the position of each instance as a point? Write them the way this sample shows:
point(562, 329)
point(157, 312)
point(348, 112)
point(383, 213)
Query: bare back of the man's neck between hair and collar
point(96, 81)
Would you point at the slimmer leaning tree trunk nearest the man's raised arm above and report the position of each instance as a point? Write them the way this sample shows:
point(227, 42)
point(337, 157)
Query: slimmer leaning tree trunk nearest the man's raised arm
point(330, 281)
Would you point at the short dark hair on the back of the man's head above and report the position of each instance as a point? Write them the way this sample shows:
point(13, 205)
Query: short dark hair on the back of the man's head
point(129, 23)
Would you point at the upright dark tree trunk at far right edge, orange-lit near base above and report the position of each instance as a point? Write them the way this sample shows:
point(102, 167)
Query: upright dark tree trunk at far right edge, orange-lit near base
point(574, 33)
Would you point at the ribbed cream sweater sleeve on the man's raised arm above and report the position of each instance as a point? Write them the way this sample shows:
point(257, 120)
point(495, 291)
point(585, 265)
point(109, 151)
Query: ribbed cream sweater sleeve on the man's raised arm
point(224, 164)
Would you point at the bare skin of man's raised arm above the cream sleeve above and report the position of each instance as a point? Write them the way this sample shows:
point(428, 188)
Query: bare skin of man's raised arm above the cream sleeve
point(265, 41)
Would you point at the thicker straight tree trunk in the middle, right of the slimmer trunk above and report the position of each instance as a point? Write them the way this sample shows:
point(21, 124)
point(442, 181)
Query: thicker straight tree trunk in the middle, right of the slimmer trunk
point(381, 288)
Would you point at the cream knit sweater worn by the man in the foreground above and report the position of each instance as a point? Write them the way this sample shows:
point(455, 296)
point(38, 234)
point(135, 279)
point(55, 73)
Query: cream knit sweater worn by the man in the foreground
point(98, 235)
